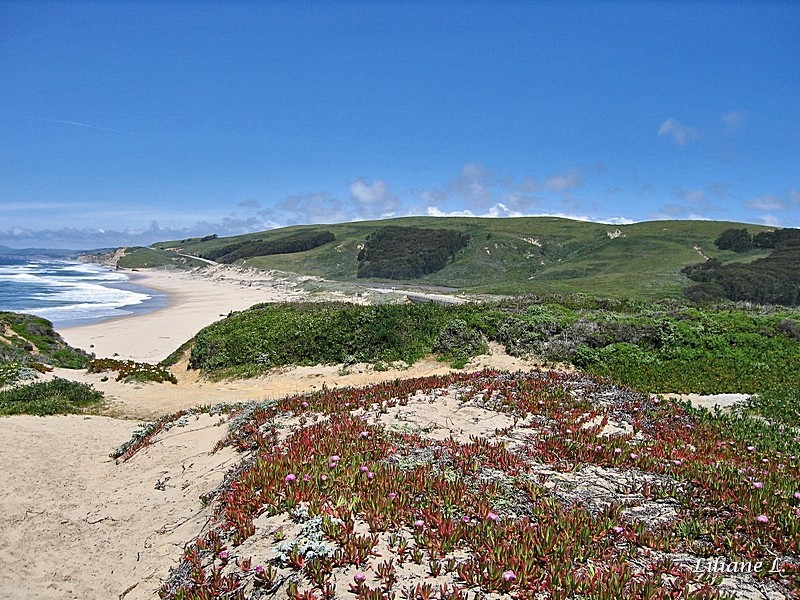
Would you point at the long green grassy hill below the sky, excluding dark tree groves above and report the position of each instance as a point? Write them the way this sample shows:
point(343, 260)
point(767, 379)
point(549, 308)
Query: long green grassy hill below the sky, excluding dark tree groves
point(519, 255)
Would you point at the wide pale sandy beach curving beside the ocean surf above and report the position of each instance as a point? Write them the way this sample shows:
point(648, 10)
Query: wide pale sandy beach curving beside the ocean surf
point(195, 300)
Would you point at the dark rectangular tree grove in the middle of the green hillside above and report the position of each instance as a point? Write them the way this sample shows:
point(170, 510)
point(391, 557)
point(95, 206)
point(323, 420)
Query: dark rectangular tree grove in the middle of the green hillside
point(408, 252)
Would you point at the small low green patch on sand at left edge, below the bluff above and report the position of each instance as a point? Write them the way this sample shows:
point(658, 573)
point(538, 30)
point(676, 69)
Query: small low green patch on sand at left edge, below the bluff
point(55, 397)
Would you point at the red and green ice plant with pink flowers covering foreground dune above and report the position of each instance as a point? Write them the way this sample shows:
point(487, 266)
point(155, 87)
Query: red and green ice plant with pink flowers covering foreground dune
point(345, 502)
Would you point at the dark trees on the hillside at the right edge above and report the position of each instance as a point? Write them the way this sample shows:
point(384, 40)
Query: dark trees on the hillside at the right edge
point(771, 280)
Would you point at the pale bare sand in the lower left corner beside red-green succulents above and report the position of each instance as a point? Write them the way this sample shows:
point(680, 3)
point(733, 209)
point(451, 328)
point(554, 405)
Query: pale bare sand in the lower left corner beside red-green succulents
point(75, 525)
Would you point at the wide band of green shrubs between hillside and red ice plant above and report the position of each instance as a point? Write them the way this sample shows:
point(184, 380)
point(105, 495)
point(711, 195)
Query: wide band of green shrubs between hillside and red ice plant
point(654, 347)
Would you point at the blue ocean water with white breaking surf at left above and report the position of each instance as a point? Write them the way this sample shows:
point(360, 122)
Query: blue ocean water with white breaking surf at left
point(70, 293)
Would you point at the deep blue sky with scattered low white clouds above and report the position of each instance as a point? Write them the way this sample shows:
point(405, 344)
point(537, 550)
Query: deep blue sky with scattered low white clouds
point(130, 122)
